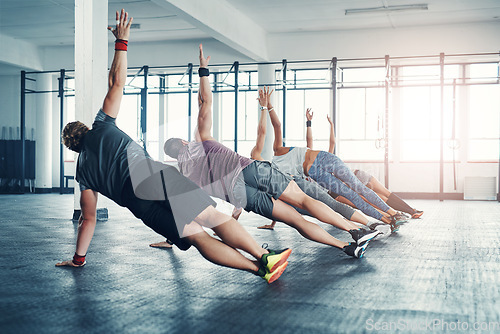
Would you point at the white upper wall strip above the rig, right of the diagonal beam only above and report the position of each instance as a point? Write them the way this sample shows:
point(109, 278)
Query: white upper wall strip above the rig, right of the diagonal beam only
point(463, 38)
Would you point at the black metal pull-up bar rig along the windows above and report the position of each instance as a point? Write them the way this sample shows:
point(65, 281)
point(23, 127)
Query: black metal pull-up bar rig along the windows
point(334, 84)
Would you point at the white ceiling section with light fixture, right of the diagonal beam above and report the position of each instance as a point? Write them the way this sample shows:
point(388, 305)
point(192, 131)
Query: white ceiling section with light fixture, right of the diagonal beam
point(284, 16)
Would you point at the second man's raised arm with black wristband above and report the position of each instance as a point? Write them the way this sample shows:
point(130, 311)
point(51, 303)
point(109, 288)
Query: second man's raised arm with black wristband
point(204, 101)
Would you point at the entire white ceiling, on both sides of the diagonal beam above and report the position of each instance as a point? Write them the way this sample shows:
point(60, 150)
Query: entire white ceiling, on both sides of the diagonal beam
point(51, 22)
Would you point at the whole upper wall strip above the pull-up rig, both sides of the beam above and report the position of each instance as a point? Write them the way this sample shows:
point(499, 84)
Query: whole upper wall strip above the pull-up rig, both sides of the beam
point(465, 38)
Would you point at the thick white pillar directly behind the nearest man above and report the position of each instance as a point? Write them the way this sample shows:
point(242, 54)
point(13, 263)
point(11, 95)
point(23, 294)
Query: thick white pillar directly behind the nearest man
point(91, 64)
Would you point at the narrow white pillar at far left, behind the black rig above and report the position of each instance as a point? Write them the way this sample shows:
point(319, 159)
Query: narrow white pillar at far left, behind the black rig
point(43, 135)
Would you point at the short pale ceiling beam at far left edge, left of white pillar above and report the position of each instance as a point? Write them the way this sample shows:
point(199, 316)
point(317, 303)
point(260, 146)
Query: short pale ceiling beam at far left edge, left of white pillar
point(20, 53)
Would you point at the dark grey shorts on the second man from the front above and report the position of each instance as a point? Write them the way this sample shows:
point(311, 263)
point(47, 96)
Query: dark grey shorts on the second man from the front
point(257, 184)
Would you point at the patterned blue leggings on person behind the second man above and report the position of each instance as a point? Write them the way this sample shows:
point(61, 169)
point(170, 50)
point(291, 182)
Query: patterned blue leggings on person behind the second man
point(345, 183)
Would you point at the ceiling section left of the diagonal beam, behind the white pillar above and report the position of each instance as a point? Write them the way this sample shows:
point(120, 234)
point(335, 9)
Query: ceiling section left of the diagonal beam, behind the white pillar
point(51, 22)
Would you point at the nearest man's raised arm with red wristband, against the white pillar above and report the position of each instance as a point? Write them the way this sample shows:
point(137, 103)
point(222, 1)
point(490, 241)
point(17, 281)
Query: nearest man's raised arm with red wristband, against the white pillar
point(118, 71)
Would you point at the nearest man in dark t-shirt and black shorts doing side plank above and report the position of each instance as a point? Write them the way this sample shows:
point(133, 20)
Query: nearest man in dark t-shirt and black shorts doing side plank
point(112, 164)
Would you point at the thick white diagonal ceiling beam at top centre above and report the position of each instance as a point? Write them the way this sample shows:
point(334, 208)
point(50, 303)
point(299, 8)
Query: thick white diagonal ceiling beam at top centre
point(223, 22)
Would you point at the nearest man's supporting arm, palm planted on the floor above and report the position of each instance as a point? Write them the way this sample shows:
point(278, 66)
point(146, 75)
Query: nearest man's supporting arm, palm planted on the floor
point(86, 227)
